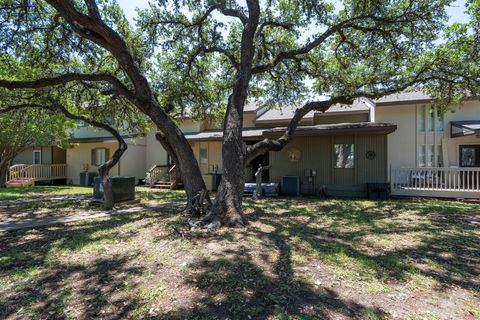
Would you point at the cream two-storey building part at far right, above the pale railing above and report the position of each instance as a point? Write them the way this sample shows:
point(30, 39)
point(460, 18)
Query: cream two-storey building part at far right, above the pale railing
point(424, 136)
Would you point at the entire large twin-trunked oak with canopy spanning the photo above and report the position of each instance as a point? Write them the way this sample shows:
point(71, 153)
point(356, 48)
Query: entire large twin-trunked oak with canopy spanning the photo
point(212, 56)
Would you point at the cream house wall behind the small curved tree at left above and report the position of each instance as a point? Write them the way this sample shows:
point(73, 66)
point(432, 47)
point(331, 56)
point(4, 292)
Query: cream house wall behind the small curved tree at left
point(131, 163)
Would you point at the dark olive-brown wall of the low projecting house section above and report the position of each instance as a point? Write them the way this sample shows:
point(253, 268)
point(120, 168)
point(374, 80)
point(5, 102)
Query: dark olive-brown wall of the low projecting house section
point(317, 153)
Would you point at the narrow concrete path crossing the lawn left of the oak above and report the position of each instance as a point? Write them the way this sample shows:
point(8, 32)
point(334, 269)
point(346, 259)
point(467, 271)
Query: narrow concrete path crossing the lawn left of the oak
point(40, 222)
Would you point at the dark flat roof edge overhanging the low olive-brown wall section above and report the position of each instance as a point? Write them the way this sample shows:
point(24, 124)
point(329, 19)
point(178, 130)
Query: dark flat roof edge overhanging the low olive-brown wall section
point(336, 129)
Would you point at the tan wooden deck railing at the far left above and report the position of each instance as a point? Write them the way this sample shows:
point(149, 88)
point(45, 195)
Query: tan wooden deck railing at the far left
point(38, 172)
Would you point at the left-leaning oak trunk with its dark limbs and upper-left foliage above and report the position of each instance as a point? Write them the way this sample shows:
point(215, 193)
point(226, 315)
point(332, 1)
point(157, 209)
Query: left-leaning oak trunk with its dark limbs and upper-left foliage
point(88, 51)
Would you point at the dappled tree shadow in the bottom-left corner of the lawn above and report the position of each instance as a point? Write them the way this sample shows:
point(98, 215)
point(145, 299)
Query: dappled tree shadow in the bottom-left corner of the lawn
point(68, 291)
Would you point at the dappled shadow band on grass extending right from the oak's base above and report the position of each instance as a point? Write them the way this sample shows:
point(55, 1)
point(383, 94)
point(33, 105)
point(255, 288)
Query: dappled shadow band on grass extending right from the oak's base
point(447, 247)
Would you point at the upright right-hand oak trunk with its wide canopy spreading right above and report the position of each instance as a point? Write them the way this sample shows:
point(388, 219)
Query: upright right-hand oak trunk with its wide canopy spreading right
point(280, 52)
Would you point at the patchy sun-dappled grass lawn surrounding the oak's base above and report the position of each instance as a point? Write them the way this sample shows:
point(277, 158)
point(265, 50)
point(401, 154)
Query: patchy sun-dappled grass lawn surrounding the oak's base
point(309, 258)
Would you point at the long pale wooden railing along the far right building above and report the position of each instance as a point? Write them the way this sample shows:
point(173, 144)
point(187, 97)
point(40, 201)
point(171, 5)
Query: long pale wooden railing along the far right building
point(436, 182)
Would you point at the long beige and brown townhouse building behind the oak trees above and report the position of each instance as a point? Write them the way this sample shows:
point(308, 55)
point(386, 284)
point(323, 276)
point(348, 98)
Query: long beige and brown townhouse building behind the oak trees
point(400, 139)
